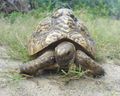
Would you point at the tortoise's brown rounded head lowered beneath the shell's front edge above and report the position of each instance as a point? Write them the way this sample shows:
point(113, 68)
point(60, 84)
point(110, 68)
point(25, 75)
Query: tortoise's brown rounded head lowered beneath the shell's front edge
point(64, 53)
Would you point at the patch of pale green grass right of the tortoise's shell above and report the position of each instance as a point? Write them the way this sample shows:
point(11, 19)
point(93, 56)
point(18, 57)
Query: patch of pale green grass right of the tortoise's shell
point(106, 33)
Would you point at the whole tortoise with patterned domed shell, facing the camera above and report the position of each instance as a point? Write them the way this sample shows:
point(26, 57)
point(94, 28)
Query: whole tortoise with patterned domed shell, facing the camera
point(60, 40)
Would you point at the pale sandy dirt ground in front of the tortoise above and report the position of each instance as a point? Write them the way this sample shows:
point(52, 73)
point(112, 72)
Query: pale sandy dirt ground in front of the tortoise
point(11, 83)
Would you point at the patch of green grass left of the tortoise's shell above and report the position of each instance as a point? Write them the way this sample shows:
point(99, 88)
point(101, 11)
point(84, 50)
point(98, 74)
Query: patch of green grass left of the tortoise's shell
point(14, 32)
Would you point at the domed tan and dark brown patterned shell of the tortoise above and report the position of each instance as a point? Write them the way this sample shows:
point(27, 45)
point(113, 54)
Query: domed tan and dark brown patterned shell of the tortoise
point(61, 25)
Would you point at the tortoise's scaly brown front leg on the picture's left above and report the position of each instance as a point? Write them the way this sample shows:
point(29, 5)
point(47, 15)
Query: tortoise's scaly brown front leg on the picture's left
point(45, 60)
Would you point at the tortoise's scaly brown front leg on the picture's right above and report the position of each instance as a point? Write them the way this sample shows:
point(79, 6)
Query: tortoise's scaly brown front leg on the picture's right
point(87, 63)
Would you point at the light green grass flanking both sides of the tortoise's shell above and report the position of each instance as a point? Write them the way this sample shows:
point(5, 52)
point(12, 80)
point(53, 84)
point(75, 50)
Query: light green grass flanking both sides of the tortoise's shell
point(16, 28)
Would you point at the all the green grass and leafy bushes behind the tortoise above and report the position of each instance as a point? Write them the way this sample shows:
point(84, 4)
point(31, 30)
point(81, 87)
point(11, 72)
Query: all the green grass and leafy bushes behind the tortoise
point(100, 16)
